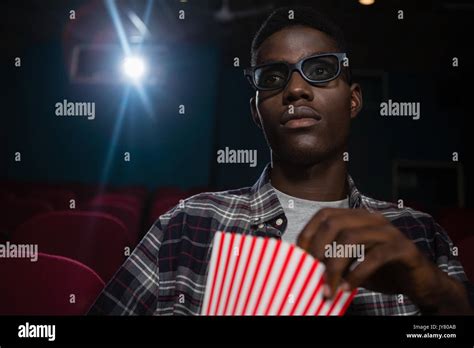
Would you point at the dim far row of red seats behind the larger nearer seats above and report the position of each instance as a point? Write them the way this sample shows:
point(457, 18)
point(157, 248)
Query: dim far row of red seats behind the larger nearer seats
point(130, 205)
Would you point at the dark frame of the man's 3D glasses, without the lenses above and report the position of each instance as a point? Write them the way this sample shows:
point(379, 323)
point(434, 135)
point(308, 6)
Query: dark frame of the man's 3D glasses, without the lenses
point(250, 72)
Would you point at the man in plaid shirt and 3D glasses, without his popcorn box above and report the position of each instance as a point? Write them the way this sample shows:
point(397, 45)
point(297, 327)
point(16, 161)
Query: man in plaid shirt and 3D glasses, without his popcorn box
point(304, 103)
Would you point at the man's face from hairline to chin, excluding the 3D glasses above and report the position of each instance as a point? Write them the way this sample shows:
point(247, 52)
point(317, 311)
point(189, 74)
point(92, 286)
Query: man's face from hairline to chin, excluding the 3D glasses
point(304, 141)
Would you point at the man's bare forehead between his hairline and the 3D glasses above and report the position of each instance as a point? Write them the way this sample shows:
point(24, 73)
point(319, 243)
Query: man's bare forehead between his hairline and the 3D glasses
point(294, 43)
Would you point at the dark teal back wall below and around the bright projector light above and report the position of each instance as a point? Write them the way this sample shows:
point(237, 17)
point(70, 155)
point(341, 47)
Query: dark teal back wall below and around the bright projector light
point(166, 148)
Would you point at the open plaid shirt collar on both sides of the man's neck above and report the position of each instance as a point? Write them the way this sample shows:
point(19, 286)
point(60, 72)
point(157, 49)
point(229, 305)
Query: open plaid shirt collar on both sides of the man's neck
point(265, 205)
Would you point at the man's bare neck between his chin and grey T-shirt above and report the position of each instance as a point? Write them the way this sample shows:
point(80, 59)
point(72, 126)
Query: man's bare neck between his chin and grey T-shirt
point(324, 181)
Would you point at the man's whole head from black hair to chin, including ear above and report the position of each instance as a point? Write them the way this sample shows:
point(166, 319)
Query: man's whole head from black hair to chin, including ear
point(304, 123)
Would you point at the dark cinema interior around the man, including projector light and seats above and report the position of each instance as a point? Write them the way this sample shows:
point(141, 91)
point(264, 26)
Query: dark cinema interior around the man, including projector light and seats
point(116, 111)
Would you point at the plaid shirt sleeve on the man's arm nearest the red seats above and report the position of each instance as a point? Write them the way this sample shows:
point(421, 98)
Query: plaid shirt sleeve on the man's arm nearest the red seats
point(133, 290)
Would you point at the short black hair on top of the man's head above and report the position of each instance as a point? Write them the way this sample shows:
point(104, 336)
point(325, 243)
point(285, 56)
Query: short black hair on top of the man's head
point(304, 16)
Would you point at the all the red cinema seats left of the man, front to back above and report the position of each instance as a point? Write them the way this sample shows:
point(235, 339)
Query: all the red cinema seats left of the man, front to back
point(83, 236)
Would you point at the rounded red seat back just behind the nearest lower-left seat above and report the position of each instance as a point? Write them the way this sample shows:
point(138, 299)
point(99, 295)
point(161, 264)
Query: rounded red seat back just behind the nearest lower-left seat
point(97, 240)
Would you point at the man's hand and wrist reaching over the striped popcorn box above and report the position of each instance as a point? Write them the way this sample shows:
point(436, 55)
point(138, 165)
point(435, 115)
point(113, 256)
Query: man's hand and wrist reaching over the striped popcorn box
point(392, 262)
